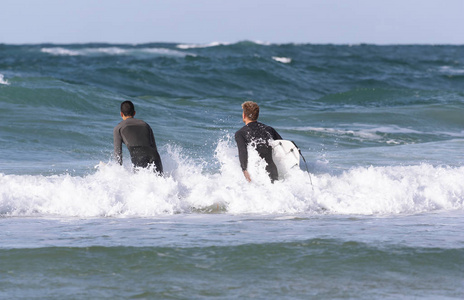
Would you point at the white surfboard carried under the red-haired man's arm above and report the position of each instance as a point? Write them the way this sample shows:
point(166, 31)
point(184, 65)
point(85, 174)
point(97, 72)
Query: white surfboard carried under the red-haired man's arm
point(285, 155)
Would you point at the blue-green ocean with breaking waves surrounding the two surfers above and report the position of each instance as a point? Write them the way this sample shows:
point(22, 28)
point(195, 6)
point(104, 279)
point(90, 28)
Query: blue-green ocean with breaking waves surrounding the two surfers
point(376, 212)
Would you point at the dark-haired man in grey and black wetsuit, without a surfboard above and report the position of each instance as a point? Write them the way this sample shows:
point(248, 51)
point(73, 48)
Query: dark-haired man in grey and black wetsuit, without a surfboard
point(139, 139)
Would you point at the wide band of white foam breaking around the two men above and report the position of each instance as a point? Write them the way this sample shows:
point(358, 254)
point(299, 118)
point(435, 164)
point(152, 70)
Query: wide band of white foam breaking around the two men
point(118, 192)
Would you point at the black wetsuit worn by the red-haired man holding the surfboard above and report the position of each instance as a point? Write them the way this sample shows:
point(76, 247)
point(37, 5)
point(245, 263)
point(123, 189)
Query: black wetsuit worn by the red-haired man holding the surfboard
point(258, 135)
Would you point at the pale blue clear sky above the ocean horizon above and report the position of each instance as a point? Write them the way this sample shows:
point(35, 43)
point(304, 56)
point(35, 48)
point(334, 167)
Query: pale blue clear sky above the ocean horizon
point(207, 21)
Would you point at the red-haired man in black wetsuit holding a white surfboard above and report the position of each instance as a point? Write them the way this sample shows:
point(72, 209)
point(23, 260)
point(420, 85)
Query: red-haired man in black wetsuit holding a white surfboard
point(258, 135)
